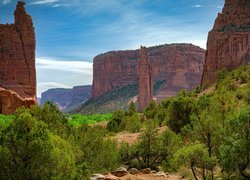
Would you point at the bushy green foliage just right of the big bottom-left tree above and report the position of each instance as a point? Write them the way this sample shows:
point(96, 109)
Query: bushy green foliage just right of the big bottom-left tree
point(93, 151)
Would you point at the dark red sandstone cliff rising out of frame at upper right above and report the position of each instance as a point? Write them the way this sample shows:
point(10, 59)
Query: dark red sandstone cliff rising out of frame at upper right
point(228, 44)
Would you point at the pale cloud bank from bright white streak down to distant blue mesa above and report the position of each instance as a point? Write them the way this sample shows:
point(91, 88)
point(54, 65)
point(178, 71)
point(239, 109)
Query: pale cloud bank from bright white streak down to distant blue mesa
point(53, 73)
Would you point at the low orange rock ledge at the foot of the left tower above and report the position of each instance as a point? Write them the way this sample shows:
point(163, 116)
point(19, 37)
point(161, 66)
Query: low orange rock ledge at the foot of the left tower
point(10, 101)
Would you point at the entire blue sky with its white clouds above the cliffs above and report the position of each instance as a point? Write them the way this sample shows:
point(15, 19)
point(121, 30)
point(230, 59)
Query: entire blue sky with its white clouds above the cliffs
point(70, 33)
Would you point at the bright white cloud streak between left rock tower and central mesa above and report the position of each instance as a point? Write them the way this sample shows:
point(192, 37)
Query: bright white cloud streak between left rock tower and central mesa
point(71, 66)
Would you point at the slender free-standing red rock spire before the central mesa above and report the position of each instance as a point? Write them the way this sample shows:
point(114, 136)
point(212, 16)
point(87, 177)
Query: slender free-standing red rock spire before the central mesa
point(145, 81)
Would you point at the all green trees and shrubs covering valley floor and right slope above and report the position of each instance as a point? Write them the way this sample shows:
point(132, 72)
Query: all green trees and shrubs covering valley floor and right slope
point(207, 138)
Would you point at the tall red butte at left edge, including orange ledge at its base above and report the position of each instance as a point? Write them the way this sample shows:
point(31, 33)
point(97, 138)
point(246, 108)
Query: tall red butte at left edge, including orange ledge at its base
point(17, 62)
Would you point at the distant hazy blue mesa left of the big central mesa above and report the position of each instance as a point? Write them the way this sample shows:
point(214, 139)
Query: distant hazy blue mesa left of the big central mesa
point(67, 98)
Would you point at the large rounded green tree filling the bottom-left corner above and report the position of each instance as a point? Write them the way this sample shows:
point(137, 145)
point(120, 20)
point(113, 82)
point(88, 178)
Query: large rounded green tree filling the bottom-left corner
point(29, 151)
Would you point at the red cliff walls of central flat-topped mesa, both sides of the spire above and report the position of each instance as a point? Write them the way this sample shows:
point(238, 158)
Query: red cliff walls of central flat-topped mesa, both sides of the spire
point(179, 65)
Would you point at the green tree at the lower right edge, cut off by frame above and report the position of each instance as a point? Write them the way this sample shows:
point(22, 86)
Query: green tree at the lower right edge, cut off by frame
point(235, 150)
